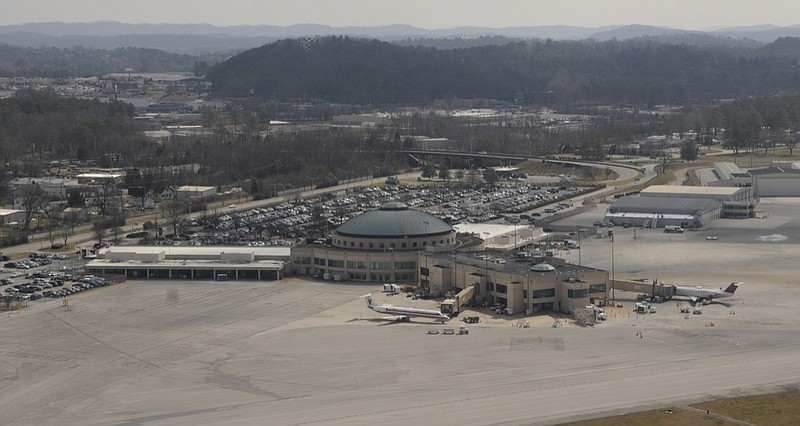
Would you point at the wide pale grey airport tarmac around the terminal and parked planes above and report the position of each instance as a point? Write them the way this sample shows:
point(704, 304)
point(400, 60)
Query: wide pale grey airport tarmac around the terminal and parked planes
point(308, 352)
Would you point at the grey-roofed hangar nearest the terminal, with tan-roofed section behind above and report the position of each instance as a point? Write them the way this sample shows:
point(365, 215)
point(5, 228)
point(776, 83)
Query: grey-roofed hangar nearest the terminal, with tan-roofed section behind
point(687, 206)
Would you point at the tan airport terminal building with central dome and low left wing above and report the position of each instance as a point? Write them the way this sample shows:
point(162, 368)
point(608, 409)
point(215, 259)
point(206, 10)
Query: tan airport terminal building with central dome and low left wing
point(393, 244)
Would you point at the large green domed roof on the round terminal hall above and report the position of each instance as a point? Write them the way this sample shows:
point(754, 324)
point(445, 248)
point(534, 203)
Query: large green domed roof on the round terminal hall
point(394, 220)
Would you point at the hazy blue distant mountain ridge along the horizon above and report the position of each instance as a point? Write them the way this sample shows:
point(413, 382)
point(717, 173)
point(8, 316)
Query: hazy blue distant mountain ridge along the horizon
point(206, 38)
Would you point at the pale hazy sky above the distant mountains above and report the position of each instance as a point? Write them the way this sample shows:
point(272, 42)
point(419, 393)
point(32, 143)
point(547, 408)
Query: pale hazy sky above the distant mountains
point(430, 14)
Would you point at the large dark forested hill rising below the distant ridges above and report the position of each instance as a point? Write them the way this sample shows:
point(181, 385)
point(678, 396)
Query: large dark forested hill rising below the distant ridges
point(341, 69)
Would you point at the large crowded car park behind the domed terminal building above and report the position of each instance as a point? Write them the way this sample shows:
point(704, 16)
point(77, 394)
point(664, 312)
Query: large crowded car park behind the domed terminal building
point(316, 217)
